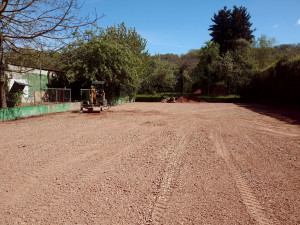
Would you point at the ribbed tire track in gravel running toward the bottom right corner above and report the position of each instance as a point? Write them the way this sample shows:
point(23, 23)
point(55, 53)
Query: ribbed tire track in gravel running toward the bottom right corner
point(255, 209)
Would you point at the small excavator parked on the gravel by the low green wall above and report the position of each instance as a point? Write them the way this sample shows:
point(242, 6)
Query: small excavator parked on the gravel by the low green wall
point(97, 101)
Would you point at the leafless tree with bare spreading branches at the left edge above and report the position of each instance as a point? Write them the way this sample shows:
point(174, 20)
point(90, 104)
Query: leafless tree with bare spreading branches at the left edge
point(35, 24)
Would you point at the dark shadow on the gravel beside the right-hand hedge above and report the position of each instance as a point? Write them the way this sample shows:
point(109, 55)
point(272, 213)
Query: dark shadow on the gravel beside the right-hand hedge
point(291, 116)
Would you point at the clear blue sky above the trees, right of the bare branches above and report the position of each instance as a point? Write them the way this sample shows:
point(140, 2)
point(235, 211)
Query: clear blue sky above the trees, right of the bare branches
point(177, 26)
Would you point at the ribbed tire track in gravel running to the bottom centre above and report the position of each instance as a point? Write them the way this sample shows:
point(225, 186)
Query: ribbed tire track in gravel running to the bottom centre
point(169, 180)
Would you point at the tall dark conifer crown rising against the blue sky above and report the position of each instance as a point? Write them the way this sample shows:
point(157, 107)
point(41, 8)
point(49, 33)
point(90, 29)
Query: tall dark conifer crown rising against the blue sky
point(229, 26)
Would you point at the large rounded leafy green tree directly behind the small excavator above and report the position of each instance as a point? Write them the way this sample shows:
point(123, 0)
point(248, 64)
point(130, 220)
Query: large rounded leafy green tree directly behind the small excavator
point(115, 55)
